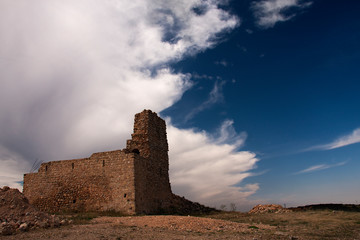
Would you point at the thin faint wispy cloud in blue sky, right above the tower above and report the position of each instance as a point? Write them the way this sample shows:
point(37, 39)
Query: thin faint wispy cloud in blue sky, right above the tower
point(215, 96)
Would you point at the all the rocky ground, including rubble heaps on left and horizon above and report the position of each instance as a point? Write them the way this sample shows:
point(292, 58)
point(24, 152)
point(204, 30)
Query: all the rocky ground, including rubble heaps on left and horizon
point(20, 220)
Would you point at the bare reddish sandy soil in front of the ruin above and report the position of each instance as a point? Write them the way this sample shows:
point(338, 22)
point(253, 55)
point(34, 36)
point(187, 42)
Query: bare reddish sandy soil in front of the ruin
point(150, 227)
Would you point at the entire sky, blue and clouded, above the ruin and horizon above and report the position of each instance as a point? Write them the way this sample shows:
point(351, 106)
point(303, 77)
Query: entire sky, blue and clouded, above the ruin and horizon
point(261, 97)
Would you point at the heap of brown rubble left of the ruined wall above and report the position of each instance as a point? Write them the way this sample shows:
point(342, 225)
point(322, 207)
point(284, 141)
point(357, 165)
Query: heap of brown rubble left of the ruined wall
point(17, 214)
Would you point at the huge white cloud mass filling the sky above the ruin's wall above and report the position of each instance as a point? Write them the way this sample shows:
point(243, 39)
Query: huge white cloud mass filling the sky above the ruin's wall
point(76, 72)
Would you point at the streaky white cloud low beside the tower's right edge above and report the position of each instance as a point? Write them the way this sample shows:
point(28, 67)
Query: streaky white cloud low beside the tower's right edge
point(213, 164)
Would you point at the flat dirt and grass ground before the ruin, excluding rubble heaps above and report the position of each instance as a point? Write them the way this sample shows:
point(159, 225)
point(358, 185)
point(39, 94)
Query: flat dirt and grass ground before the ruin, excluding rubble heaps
point(225, 225)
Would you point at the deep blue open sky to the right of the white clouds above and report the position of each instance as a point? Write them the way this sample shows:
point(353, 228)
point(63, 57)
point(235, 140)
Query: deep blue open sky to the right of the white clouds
point(290, 87)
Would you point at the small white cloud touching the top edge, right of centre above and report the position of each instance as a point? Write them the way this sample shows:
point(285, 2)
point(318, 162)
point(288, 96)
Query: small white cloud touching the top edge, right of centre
point(270, 12)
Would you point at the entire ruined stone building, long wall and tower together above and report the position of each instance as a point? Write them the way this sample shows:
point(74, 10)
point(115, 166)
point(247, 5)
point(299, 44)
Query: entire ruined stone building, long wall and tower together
point(132, 181)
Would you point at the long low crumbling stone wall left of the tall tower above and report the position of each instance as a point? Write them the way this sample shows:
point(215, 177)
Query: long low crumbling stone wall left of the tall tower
point(103, 182)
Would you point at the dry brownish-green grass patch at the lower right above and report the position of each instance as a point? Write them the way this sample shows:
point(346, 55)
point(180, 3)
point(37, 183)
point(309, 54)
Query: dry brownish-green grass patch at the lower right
point(321, 224)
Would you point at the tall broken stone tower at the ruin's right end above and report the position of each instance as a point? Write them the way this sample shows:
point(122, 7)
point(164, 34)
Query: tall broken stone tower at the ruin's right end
point(149, 140)
